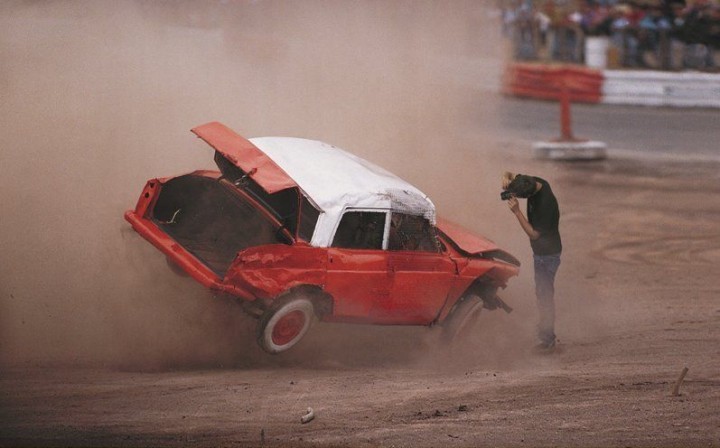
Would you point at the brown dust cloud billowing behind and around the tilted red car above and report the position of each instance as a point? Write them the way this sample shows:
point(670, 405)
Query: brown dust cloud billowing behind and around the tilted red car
point(99, 96)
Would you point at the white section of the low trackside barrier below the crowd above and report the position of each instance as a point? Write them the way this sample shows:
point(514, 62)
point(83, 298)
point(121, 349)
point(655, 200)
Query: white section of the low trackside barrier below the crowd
point(651, 88)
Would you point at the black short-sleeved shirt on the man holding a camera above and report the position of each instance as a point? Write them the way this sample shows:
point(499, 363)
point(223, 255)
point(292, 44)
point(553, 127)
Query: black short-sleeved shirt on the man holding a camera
point(544, 215)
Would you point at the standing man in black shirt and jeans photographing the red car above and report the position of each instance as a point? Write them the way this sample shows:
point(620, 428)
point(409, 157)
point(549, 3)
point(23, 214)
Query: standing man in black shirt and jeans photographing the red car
point(541, 226)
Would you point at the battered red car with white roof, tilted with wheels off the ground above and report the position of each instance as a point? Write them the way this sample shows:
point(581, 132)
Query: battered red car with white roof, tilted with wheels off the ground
point(300, 231)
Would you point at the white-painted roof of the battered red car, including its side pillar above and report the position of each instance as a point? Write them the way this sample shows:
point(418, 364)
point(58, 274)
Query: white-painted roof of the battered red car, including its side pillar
point(336, 180)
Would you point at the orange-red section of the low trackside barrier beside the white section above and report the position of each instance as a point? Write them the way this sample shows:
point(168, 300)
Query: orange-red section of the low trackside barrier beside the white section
point(548, 81)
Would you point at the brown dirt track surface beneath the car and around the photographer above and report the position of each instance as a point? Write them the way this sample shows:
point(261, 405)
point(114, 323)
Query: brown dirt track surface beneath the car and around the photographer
point(637, 303)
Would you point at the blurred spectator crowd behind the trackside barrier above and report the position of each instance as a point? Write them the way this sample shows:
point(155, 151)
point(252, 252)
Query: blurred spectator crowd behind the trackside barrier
point(655, 34)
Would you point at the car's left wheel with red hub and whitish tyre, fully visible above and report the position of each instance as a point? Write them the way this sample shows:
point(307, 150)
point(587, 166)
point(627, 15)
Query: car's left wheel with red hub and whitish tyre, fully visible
point(285, 323)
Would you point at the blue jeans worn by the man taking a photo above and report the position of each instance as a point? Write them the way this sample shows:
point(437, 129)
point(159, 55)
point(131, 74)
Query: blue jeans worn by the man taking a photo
point(546, 267)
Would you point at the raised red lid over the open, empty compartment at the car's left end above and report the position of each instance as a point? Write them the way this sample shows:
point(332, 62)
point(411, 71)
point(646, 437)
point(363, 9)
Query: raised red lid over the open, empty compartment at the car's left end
point(246, 156)
